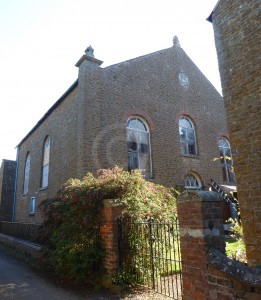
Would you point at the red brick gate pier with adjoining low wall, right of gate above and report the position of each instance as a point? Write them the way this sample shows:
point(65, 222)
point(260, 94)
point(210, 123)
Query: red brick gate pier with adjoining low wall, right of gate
point(206, 272)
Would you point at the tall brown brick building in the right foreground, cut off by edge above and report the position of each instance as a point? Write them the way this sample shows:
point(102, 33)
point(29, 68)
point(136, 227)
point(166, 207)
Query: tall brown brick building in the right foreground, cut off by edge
point(237, 36)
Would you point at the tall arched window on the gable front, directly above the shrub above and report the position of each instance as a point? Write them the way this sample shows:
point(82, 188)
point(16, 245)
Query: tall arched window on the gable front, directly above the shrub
point(138, 145)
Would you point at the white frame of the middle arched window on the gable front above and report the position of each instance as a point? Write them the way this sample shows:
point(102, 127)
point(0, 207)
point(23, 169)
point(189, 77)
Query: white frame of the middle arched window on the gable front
point(186, 140)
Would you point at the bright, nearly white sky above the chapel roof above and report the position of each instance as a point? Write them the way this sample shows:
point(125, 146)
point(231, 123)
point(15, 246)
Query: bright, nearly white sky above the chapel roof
point(41, 40)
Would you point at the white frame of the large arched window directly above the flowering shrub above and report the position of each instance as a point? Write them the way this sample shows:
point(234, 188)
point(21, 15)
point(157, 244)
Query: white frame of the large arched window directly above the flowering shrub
point(148, 173)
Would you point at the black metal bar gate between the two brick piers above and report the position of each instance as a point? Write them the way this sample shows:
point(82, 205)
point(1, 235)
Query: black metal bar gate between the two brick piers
point(149, 254)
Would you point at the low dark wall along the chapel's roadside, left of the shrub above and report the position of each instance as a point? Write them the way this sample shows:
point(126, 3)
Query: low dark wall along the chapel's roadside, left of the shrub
point(23, 231)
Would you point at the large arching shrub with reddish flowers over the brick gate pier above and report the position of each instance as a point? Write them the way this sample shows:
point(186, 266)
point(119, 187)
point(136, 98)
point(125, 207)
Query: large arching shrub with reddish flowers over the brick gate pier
point(70, 231)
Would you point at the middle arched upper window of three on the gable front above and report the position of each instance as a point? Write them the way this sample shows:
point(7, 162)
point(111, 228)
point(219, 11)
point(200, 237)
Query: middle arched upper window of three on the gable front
point(187, 137)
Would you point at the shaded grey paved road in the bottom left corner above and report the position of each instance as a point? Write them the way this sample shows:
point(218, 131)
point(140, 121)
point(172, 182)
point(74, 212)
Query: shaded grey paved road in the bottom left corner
point(19, 282)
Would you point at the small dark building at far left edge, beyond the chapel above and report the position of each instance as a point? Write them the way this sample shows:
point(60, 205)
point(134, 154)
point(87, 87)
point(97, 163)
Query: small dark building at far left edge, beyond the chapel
point(7, 187)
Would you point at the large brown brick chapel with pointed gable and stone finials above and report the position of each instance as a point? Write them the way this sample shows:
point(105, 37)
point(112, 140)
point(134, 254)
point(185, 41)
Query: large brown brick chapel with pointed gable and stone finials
point(169, 114)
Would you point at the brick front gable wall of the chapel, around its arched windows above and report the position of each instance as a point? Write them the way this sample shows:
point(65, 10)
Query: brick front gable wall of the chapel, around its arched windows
point(149, 85)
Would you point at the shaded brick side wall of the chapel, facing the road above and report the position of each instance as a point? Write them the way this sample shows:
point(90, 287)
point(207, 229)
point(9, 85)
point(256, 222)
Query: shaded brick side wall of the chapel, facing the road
point(61, 126)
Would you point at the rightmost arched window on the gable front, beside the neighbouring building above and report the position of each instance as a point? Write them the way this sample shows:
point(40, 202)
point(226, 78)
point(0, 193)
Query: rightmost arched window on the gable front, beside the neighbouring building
point(226, 161)
